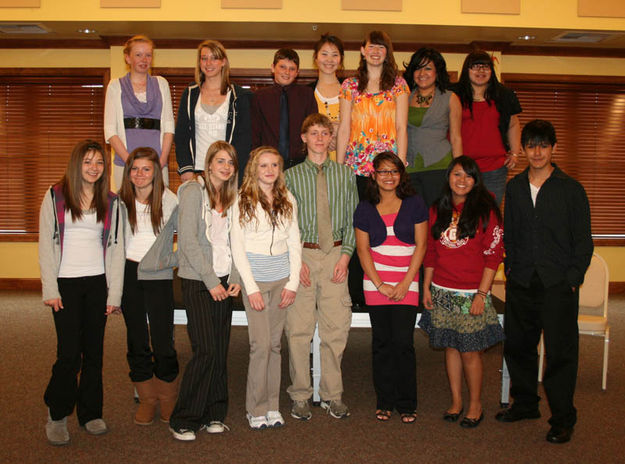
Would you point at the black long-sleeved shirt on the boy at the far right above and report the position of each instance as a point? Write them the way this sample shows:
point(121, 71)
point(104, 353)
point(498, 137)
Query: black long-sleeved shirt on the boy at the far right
point(552, 238)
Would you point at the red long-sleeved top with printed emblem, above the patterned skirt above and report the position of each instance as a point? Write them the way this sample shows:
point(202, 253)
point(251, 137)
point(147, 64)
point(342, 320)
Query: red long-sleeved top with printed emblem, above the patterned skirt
point(460, 264)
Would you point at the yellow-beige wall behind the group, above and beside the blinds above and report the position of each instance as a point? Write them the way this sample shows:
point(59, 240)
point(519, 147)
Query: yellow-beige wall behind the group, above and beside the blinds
point(19, 260)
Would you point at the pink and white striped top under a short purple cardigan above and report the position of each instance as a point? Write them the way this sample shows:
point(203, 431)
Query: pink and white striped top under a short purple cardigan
point(391, 259)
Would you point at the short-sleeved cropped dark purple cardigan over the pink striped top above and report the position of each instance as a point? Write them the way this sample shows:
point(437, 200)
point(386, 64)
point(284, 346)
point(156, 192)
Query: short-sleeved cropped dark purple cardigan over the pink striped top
point(412, 211)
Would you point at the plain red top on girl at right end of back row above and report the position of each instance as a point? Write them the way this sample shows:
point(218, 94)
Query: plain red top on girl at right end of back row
point(481, 139)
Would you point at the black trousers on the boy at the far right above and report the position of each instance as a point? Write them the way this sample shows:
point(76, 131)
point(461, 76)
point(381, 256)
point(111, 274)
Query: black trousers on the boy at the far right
point(553, 310)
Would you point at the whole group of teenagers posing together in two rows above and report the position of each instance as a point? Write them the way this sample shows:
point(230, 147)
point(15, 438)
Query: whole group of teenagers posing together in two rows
point(381, 190)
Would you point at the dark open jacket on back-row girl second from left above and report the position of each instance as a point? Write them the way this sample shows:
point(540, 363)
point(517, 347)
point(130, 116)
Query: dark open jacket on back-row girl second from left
point(238, 128)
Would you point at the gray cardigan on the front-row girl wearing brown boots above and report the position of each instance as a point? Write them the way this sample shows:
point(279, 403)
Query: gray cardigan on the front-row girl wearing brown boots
point(160, 260)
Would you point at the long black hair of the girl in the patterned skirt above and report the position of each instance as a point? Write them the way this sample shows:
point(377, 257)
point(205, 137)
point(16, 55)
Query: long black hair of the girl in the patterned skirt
point(477, 207)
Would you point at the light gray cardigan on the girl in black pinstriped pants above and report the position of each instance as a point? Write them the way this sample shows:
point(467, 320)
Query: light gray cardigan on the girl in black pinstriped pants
point(195, 252)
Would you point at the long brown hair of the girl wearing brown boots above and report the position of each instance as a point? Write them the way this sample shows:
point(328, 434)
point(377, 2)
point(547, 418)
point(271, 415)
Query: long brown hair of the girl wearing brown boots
point(155, 200)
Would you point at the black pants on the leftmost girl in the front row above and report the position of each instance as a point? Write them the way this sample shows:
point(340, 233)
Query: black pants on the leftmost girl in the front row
point(80, 336)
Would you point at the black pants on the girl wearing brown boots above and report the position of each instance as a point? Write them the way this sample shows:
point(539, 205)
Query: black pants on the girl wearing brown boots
point(154, 299)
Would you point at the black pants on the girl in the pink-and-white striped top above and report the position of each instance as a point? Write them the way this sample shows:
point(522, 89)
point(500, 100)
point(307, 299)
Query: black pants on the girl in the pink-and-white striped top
point(393, 355)
